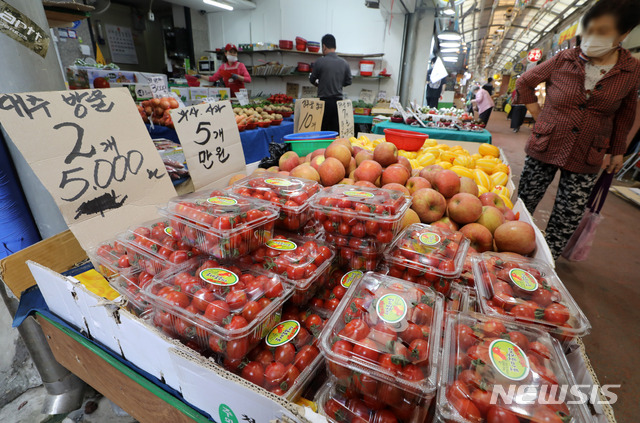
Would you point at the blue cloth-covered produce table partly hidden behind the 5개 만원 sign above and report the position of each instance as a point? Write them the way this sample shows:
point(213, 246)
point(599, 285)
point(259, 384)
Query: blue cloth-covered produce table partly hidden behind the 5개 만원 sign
point(255, 142)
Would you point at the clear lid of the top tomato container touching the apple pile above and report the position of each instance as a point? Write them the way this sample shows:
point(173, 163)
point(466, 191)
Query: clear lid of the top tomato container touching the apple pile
point(372, 204)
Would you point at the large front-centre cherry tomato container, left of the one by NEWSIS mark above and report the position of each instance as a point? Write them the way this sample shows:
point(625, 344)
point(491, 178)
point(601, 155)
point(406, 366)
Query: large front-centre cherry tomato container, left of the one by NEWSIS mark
point(383, 341)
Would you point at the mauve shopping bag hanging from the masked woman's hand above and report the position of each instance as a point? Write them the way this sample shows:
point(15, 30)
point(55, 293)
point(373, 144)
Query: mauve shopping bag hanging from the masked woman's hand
point(579, 244)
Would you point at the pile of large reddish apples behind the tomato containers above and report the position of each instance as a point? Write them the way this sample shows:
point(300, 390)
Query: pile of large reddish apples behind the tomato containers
point(440, 196)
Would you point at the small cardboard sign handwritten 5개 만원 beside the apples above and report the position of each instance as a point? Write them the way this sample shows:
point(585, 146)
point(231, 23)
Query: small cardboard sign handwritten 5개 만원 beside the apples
point(211, 143)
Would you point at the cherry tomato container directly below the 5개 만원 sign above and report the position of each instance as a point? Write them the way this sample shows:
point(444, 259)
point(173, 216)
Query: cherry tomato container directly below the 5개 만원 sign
point(224, 225)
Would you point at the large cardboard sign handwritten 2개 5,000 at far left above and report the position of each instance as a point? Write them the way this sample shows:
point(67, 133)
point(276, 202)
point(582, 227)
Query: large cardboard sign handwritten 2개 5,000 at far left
point(91, 151)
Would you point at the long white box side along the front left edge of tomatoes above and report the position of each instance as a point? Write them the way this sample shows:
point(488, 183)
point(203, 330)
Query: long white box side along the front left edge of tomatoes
point(202, 383)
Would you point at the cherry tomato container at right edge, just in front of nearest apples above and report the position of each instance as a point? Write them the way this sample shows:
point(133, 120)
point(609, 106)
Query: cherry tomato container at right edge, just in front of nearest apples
point(529, 291)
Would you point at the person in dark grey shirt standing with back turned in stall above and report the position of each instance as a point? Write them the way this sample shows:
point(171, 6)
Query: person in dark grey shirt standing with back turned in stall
point(330, 73)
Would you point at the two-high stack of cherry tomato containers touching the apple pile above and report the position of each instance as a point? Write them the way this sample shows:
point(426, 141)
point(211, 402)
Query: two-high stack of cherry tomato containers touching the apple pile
point(360, 222)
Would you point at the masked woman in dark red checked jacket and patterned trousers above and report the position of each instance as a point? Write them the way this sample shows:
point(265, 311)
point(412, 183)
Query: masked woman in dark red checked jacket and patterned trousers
point(592, 92)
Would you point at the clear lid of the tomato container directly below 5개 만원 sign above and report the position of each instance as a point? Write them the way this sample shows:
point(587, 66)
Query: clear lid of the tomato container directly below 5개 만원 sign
point(222, 213)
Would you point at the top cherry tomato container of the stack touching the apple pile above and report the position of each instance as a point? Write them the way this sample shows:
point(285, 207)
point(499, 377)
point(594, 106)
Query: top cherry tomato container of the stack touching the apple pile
point(360, 212)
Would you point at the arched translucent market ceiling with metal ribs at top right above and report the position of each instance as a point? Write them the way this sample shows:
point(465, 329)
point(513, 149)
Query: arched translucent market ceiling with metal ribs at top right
point(498, 31)
